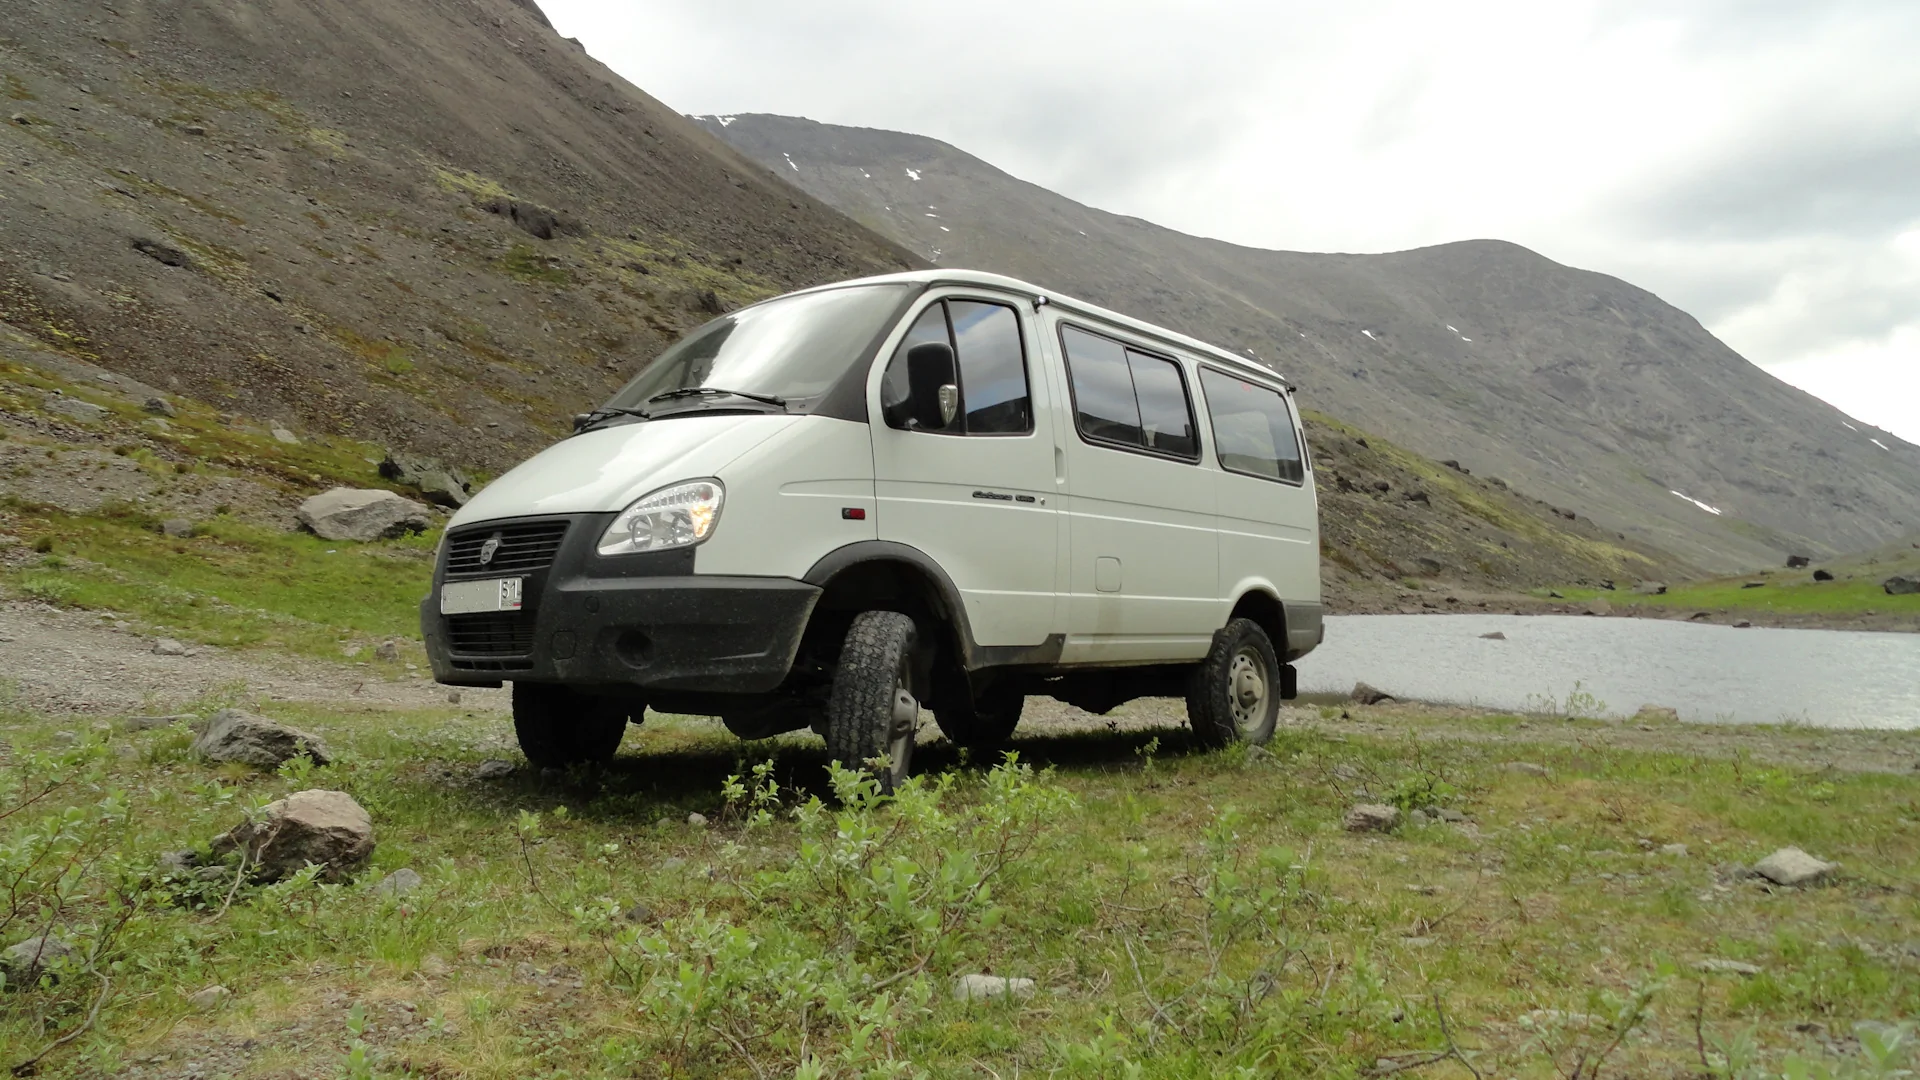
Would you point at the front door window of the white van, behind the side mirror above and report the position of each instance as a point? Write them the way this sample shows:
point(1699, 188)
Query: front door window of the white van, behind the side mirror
point(992, 368)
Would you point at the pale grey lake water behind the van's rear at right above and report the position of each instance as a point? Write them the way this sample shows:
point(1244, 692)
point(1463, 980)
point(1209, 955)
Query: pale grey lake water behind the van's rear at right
point(1840, 679)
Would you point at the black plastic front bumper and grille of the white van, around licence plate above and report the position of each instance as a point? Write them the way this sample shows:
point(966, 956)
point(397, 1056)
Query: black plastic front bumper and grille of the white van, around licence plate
point(640, 622)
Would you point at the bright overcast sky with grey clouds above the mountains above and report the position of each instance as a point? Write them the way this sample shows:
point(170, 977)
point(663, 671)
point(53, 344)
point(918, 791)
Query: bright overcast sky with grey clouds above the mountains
point(1756, 162)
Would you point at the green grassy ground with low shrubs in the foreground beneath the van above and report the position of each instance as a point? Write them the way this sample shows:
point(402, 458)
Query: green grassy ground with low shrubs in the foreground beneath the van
point(1182, 914)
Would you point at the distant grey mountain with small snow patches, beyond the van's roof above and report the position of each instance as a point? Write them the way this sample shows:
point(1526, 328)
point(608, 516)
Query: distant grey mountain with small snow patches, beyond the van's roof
point(1573, 385)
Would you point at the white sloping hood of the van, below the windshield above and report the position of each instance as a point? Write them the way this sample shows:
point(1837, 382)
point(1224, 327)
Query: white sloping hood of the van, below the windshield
point(610, 468)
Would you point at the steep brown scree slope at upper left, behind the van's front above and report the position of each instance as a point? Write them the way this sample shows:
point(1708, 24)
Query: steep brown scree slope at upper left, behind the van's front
point(431, 222)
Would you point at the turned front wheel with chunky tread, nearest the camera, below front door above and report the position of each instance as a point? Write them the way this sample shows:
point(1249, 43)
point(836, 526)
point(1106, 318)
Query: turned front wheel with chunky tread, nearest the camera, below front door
point(867, 710)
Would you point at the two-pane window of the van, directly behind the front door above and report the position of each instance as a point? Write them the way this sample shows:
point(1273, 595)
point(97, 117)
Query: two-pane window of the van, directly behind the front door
point(1130, 399)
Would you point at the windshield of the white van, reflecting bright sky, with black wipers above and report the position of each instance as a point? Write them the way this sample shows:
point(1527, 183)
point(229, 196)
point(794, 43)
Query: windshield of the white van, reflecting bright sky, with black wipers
point(794, 349)
